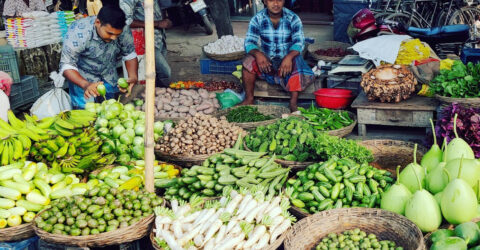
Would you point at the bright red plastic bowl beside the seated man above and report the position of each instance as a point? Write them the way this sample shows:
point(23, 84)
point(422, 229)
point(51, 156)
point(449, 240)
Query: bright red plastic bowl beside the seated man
point(333, 98)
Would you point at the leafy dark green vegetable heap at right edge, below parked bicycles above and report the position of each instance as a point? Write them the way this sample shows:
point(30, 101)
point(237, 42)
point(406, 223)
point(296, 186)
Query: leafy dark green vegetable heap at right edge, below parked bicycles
point(461, 81)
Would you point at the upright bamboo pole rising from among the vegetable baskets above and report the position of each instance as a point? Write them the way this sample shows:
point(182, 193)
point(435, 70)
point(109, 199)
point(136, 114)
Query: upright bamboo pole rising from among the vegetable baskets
point(149, 95)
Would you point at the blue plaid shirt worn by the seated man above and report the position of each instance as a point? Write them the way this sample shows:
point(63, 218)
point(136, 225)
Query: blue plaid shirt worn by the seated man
point(275, 42)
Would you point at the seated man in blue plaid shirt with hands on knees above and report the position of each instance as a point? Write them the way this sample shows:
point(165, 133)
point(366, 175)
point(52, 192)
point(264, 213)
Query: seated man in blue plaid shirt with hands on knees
point(279, 59)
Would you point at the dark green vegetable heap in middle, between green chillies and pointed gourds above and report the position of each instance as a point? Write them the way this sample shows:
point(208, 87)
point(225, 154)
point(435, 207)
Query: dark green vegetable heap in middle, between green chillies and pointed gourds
point(294, 139)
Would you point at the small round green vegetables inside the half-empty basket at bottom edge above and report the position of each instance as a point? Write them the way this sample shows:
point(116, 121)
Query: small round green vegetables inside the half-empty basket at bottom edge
point(355, 239)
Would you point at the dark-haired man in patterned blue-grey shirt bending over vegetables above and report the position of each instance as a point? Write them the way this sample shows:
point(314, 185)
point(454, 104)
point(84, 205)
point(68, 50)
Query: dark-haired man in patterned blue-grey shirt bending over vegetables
point(91, 49)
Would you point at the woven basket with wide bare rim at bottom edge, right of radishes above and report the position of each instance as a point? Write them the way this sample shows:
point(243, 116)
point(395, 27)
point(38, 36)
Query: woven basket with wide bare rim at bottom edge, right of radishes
point(384, 224)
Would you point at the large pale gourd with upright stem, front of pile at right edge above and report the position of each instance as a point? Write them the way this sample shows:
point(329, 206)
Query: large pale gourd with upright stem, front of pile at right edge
point(459, 202)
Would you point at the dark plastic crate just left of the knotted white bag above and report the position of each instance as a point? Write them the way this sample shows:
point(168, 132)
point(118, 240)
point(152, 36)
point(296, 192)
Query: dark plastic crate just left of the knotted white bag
point(24, 92)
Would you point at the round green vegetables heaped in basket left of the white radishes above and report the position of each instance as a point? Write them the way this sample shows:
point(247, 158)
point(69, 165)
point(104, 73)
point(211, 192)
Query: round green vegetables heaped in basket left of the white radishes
point(102, 209)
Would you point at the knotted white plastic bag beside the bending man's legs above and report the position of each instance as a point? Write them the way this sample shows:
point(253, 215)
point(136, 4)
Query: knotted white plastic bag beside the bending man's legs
point(54, 101)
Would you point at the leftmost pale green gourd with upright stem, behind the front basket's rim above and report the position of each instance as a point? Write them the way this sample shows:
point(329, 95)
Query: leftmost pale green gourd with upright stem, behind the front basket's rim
point(395, 198)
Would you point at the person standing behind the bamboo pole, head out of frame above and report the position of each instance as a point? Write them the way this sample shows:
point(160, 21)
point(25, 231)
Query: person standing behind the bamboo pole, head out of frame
point(135, 13)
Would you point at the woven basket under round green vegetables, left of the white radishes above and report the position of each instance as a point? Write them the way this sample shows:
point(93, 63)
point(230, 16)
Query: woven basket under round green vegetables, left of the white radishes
point(119, 236)
